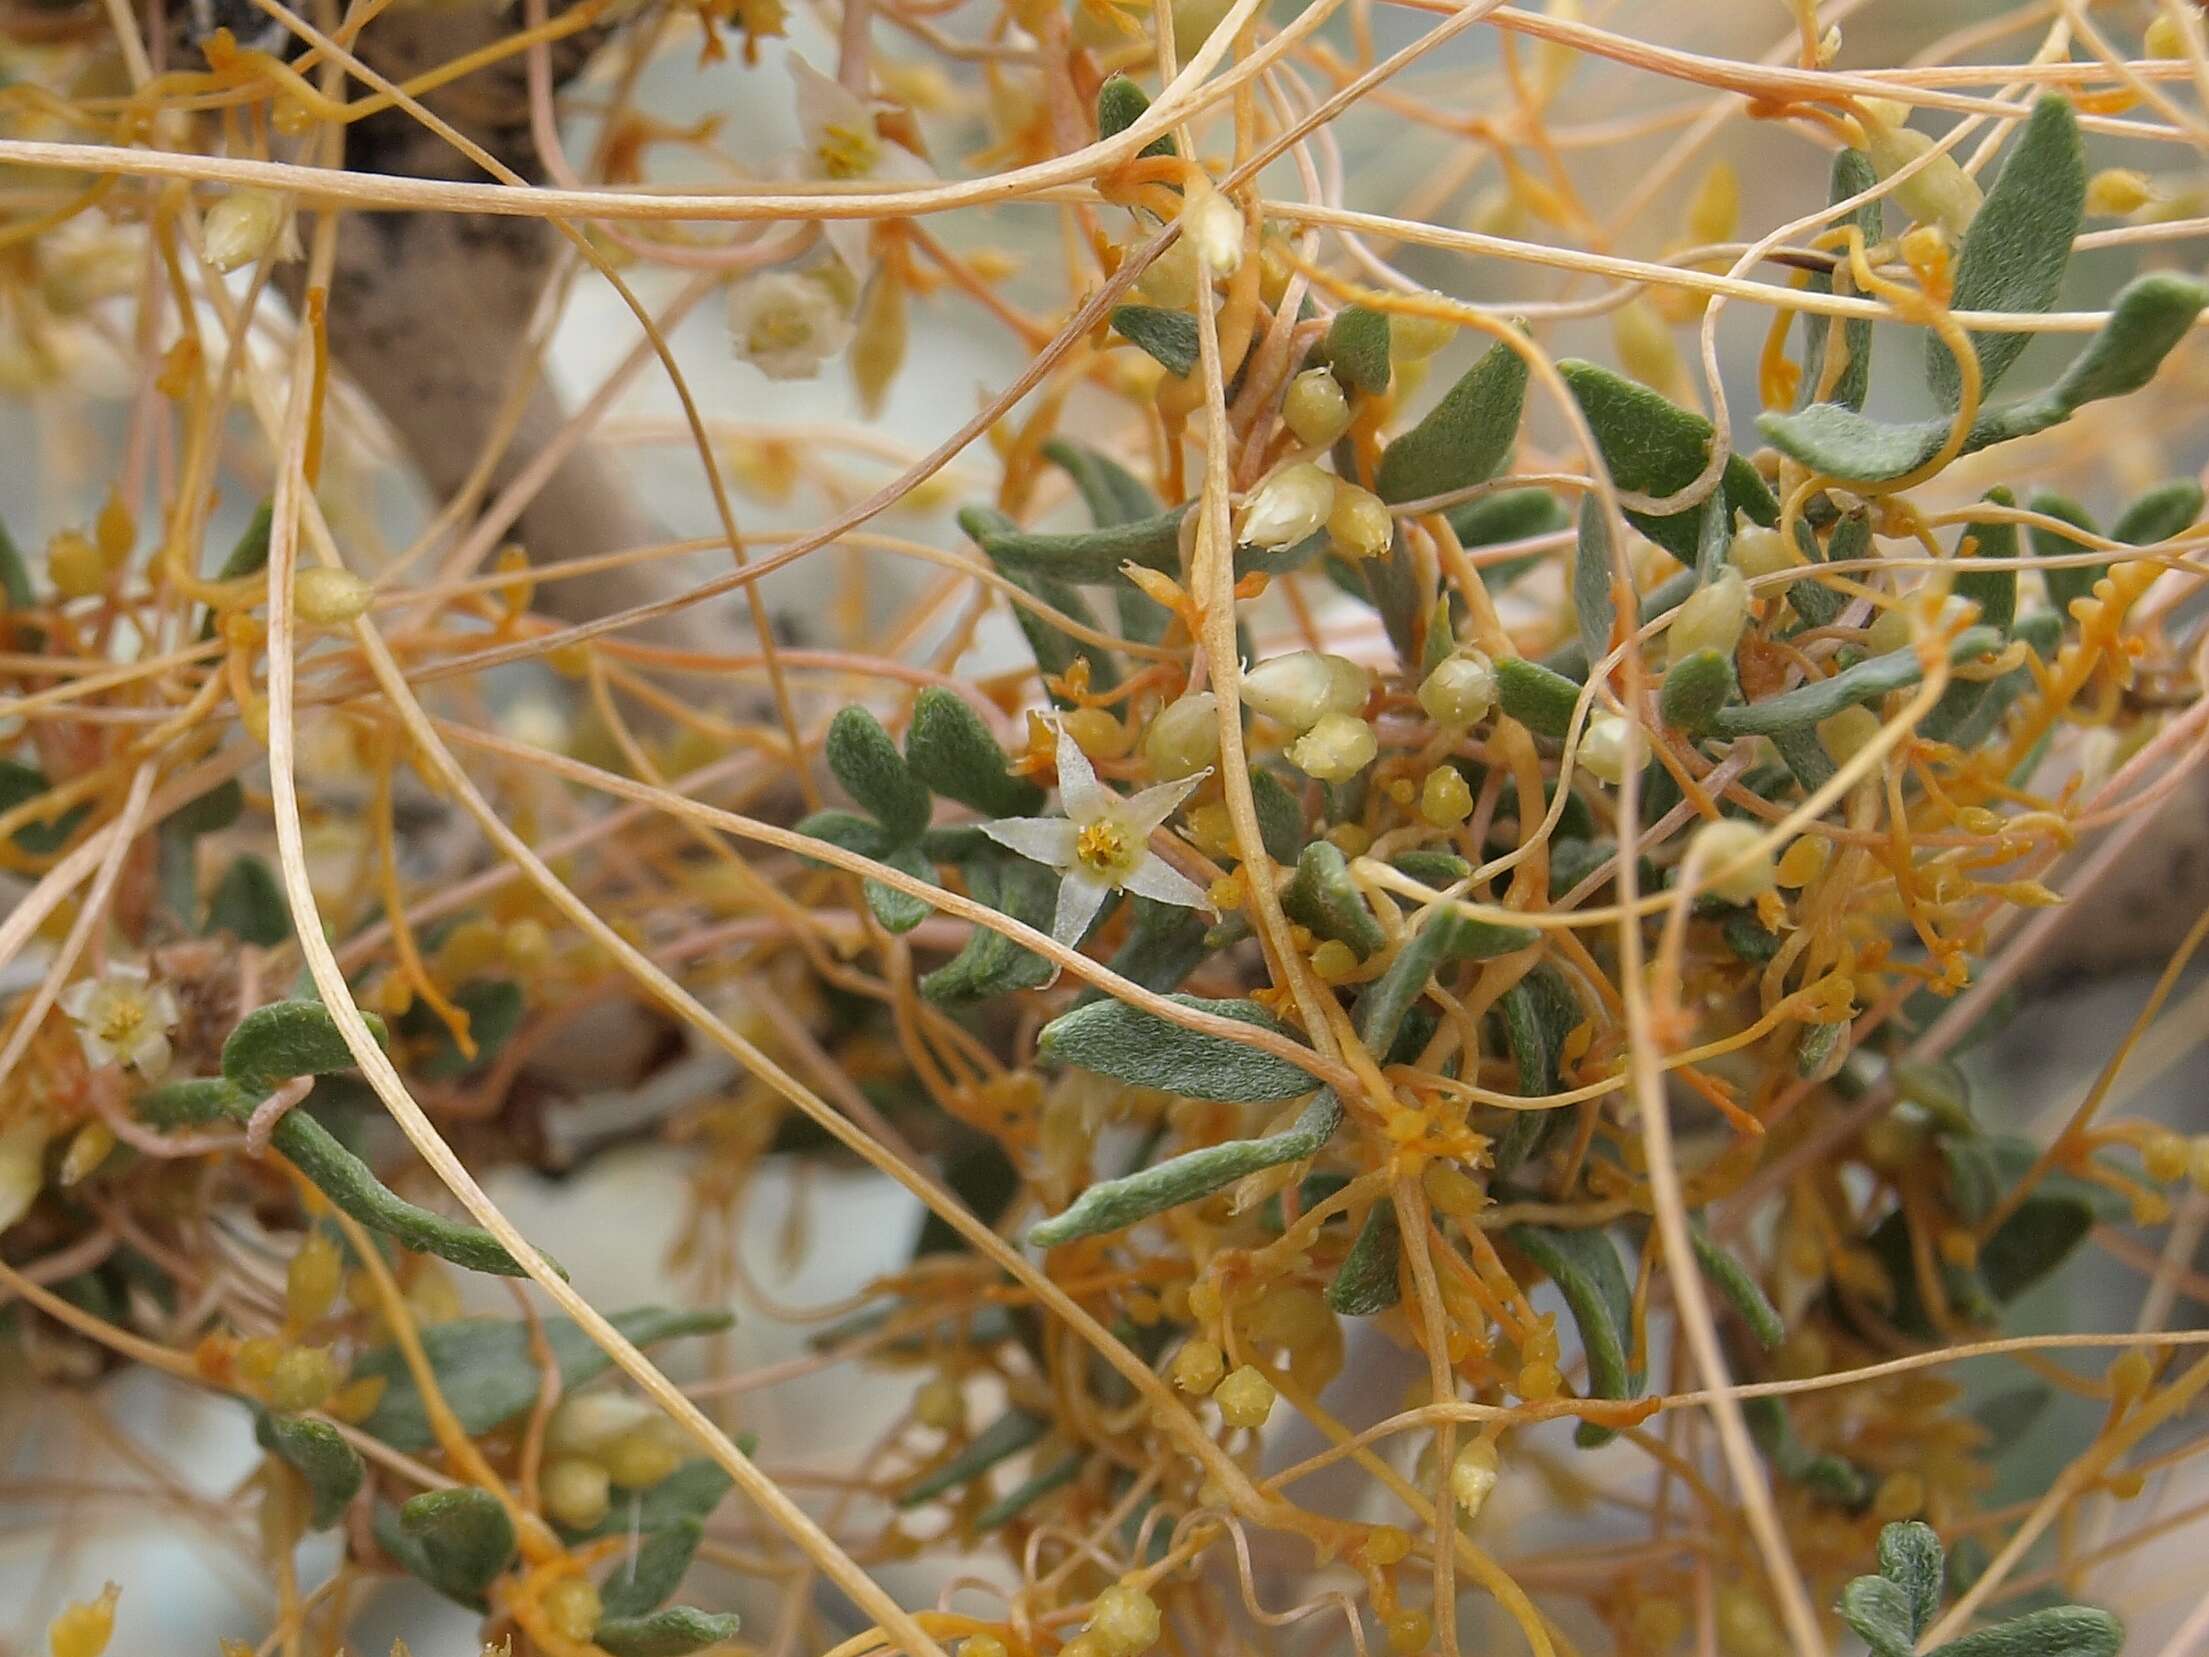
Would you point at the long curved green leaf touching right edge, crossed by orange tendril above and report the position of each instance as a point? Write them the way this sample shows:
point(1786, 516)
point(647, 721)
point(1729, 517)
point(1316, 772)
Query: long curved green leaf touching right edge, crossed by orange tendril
point(2148, 319)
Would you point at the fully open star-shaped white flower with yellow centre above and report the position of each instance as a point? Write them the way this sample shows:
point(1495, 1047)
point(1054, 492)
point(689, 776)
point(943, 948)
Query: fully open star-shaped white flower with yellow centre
point(1103, 843)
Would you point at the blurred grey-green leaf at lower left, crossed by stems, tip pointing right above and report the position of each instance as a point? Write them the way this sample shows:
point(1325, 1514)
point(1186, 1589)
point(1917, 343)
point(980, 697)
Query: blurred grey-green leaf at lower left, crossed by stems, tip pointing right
point(485, 1369)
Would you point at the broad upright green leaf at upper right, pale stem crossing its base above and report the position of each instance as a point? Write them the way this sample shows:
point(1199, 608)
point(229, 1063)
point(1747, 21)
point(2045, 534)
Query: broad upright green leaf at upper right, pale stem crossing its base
point(2018, 244)
